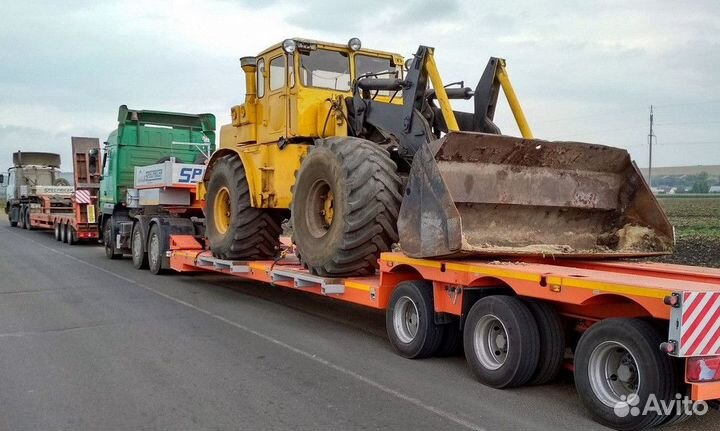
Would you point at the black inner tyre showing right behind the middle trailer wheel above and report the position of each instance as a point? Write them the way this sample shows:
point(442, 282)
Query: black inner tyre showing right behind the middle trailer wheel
point(552, 342)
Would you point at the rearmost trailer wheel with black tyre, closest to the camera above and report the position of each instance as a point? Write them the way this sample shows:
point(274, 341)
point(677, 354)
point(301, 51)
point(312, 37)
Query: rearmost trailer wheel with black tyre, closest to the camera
point(618, 368)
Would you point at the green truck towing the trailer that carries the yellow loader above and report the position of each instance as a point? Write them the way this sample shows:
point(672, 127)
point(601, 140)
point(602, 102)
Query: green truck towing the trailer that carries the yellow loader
point(150, 166)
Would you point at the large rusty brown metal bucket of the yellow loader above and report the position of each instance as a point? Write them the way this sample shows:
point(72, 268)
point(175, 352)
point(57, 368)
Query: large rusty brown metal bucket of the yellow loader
point(476, 194)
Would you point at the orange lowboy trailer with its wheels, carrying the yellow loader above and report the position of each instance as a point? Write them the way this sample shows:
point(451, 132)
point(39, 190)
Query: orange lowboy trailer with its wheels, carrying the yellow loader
point(624, 328)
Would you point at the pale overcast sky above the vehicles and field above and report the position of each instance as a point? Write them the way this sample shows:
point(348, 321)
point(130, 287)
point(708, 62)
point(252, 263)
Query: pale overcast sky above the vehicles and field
point(585, 71)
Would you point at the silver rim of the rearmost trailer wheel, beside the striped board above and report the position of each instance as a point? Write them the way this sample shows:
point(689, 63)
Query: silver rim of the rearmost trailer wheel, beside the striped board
point(613, 372)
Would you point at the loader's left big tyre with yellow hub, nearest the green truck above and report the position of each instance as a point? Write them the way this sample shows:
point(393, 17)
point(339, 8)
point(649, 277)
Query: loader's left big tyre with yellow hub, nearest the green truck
point(252, 233)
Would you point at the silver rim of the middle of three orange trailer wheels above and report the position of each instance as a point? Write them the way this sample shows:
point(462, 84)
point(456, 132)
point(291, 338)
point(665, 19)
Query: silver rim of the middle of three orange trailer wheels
point(491, 342)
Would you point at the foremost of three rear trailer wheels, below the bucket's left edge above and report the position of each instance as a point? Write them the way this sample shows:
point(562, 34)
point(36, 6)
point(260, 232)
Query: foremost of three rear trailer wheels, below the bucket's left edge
point(410, 320)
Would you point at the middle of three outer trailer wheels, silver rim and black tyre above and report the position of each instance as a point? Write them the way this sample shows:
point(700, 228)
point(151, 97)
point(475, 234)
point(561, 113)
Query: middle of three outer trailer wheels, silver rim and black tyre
point(502, 343)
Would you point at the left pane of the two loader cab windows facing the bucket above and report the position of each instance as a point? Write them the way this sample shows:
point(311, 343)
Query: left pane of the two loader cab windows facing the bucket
point(325, 69)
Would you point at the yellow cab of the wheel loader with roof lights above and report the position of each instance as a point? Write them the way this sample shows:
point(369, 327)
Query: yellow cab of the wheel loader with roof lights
point(295, 90)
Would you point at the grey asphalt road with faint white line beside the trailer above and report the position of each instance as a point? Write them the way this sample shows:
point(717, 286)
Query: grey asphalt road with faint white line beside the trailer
point(92, 344)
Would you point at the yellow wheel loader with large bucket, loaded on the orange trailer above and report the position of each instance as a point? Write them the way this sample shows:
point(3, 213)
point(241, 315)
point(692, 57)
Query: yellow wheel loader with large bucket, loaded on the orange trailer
point(361, 153)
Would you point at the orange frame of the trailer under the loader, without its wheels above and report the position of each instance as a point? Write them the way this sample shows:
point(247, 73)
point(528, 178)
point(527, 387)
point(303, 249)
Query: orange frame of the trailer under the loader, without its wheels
point(588, 291)
